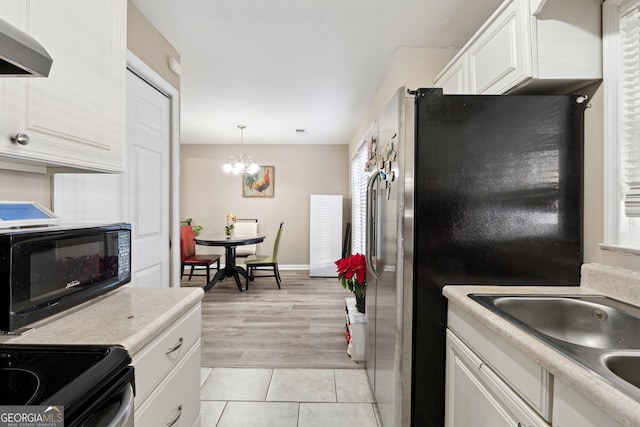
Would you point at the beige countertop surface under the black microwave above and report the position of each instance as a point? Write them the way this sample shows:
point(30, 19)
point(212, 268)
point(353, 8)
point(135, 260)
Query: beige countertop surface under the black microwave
point(129, 317)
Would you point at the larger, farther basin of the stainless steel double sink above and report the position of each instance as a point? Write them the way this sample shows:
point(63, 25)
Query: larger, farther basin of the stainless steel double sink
point(589, 321)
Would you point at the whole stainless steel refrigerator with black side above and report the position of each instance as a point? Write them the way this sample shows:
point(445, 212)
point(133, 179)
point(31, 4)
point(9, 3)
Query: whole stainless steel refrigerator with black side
point(464, 190)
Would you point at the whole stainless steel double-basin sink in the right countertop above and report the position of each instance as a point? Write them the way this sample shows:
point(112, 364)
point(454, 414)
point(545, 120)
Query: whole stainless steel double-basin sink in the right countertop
point(600, 333)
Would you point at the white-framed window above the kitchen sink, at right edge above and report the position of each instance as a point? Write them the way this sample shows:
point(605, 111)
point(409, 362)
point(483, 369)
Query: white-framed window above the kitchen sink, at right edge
point(622, 124)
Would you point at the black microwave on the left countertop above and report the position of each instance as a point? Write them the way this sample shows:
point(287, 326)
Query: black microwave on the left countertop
point(44, 271)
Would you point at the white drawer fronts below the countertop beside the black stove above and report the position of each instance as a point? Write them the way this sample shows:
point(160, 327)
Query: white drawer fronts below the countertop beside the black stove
point(167, 372)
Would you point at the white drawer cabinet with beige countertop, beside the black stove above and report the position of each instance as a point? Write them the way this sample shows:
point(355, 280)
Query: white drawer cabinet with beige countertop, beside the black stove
point(161, 330)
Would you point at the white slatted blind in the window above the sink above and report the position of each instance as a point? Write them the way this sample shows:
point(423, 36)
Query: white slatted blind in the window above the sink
point(629, 117)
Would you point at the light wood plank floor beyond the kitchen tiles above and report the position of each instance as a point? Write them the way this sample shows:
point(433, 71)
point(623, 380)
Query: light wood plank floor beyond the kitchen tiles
point(298, 326)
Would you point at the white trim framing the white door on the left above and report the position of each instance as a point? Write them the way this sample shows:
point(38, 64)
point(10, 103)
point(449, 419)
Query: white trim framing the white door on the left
point(145, 72)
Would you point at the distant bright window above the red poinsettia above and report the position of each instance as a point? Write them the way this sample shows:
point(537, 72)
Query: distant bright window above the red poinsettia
point(359, 199)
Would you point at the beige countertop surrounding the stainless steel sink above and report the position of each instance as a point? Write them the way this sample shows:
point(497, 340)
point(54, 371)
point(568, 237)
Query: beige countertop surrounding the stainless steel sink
point(612, 401)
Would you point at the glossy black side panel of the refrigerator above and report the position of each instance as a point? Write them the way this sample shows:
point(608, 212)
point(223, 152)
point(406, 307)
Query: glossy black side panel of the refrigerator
point(498, 200)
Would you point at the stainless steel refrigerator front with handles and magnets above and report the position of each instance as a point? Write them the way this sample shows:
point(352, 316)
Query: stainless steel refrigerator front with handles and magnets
point(383, 276)
